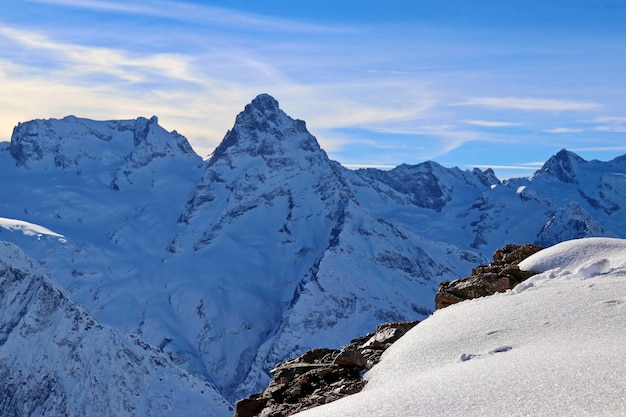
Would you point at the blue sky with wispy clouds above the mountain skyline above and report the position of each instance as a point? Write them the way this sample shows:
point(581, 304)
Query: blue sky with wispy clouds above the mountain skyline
point(502, 84)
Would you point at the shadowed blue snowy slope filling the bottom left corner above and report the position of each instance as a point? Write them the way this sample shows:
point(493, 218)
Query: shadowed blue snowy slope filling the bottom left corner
point(55, 359)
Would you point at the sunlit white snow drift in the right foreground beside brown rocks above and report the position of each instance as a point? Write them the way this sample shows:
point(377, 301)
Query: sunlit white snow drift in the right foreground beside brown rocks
point(554, 345)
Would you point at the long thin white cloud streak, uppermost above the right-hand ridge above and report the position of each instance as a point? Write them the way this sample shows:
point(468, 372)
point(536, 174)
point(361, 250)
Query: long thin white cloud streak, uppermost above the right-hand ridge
point(531, 104)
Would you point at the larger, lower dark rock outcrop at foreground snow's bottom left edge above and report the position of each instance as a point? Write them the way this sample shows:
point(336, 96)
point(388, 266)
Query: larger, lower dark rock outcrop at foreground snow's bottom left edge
point(321, 376)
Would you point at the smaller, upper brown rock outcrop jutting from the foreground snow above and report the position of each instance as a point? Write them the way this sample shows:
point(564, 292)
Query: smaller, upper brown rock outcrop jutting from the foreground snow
point(500, 275)
